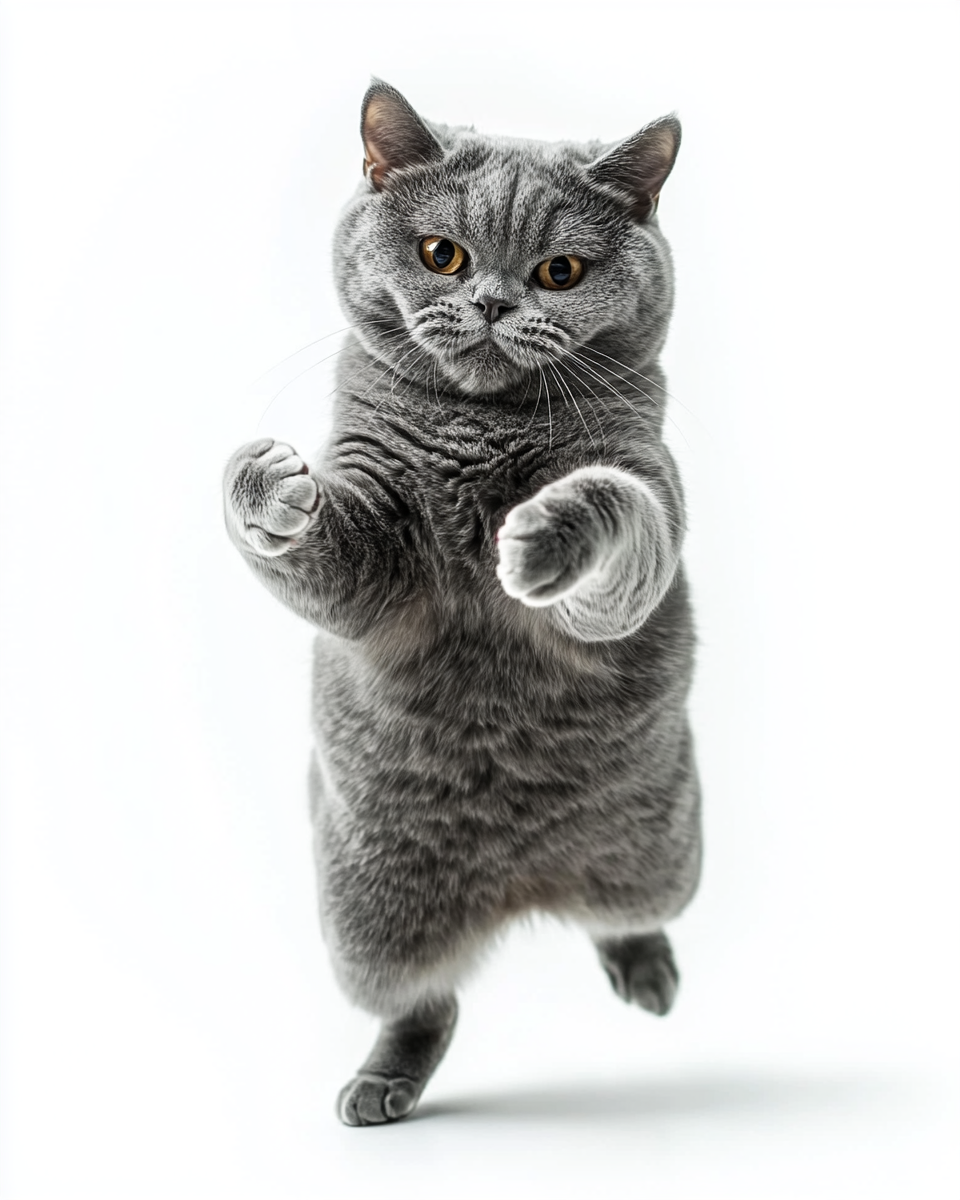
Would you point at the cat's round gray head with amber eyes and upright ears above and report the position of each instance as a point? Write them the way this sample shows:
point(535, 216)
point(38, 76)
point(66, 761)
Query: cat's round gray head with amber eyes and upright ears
point(483, 260)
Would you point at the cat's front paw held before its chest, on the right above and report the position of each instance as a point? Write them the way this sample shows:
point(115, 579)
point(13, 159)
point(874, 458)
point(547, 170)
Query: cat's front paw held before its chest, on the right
point(549, 547)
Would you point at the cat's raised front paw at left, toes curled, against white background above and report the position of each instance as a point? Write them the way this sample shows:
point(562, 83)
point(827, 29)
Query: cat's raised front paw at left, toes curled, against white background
point(269, 496)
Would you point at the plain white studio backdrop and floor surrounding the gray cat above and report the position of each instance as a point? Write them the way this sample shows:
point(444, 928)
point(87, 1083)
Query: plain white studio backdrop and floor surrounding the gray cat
point(172, 175)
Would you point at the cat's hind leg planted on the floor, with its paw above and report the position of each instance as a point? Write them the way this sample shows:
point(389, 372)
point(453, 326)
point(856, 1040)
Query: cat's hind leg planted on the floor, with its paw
point(407, 1053)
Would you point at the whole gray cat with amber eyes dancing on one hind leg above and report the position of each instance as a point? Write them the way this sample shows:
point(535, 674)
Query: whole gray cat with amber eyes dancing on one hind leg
point(490, 551)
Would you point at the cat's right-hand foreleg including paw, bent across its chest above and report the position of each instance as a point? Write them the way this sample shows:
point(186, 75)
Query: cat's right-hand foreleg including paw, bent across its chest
point(598, 550)
